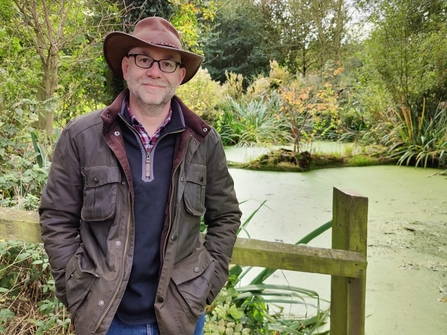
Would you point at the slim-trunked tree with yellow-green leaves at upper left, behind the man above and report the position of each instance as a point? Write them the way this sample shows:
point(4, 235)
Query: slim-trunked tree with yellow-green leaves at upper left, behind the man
point(56, 29)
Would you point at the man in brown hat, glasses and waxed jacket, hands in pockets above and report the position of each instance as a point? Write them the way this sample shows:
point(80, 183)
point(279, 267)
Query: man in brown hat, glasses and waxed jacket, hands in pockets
point(128, 185)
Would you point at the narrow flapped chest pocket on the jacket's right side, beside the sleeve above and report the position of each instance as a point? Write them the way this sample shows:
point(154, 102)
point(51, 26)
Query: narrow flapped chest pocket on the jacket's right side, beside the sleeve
point(194, 194)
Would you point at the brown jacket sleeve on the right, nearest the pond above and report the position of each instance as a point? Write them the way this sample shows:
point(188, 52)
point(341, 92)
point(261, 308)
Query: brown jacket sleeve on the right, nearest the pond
point(222, 215)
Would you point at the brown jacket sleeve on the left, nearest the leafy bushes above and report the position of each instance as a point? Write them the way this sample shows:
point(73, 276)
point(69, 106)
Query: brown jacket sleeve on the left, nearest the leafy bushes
point(60, 209)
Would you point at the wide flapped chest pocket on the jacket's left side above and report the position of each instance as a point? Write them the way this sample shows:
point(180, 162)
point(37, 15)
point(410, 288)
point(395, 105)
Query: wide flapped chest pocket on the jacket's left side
point(100, 192)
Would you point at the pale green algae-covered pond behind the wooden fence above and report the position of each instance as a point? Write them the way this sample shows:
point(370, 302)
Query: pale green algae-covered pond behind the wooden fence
point(407, 234)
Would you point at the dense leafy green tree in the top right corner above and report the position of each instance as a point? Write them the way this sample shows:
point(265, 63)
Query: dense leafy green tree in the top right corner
point(407, 48)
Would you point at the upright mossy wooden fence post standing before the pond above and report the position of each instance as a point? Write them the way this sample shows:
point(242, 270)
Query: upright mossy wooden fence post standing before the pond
point(349, 232)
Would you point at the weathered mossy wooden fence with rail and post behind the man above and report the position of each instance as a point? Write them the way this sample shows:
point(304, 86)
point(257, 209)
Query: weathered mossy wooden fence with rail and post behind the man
point(345, 262)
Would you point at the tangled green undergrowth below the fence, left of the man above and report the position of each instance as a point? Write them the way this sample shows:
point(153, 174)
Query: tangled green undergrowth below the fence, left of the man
point(27, 301)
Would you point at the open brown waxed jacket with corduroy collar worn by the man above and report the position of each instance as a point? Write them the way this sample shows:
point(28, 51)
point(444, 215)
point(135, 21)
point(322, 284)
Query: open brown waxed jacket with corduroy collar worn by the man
point(87, 222)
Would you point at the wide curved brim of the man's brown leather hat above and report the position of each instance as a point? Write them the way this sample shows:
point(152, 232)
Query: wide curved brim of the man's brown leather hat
point(118, 44)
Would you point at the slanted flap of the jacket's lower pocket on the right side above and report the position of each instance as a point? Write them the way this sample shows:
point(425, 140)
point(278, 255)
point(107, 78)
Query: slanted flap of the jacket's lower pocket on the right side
point(192, 266)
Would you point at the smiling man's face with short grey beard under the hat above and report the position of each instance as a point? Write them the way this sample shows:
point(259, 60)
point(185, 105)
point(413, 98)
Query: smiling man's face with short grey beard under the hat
point(152, 87)
